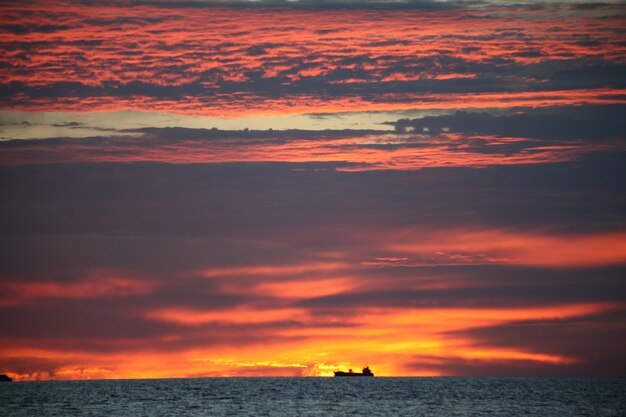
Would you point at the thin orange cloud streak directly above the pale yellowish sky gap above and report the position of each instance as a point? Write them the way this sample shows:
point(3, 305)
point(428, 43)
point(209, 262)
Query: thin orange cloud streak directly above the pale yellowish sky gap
point(248, 105)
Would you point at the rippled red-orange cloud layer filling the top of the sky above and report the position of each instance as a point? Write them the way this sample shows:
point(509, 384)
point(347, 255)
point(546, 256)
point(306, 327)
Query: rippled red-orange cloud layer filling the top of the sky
point(215, 62)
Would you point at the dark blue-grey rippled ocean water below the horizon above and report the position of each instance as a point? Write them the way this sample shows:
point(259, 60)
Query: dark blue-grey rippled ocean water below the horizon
point(257, 397)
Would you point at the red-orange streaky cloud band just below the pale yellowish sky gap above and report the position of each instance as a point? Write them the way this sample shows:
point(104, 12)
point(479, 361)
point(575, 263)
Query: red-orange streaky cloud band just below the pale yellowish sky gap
point(411, 151)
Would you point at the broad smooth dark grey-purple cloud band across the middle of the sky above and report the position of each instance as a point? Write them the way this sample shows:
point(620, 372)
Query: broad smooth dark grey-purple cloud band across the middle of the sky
point(214, 199)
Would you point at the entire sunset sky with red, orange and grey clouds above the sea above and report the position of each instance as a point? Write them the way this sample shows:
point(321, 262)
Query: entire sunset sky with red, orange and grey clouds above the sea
point(275, 188)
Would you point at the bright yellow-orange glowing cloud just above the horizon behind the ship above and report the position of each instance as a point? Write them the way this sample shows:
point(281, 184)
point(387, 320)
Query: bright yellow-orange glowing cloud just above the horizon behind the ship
point(383, 338)
